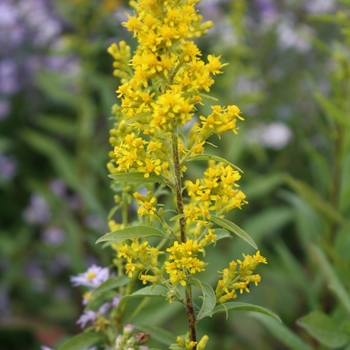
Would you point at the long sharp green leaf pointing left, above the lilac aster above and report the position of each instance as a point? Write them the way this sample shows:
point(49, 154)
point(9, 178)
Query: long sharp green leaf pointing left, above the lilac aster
point(132, 232)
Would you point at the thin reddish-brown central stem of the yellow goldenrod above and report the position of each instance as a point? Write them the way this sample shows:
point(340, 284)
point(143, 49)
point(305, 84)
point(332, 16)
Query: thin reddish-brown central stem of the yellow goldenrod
point(180, 210)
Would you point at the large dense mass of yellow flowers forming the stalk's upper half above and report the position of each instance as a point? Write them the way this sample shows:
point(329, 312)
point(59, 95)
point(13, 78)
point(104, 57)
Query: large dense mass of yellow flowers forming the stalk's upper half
point(161, 86)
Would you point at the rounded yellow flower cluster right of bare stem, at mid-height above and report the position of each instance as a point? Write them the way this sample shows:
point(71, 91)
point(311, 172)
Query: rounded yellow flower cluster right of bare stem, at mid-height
point(216, 192)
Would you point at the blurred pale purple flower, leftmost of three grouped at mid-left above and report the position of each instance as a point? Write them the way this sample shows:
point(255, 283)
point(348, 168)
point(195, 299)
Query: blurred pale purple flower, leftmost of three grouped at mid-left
point(37, 212)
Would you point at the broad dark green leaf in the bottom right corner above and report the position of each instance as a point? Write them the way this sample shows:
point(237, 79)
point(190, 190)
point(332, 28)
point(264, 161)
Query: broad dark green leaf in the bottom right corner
point(324, 330)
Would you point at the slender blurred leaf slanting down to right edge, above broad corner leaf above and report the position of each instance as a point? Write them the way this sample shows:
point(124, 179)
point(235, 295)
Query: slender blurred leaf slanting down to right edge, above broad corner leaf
point(334, 283)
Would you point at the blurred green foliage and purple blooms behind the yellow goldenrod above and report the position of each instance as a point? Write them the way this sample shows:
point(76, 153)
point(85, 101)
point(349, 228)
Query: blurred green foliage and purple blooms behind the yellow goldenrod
point(289, 73)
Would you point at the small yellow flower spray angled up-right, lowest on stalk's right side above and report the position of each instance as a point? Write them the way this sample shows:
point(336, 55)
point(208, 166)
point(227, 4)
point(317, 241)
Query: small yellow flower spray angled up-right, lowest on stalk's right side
point(233, 280)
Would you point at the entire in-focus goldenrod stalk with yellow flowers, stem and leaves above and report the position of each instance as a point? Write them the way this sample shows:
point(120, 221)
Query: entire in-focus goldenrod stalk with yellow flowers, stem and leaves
point(157, 134)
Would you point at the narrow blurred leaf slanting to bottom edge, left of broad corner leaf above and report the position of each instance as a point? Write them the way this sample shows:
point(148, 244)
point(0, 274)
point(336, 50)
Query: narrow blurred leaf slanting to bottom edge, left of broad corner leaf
point(282, 333)
